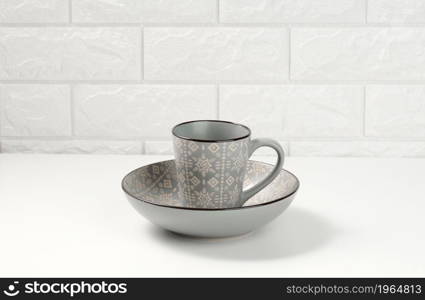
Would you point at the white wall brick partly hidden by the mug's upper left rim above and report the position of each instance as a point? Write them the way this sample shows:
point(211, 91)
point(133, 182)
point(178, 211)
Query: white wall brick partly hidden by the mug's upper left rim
point(139, 110)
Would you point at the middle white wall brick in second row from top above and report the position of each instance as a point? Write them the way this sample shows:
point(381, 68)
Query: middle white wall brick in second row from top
point(216, 54)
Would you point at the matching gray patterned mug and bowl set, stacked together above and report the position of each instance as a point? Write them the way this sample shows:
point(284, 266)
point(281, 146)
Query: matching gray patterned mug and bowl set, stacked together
point(211, 188)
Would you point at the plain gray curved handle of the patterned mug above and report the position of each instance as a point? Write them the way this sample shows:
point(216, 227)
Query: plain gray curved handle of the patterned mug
point(254, 145)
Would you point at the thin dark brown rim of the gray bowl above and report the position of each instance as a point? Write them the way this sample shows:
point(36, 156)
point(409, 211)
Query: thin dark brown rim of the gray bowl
point(211, 209)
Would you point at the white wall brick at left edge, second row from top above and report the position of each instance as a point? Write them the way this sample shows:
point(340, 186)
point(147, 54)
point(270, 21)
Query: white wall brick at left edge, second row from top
point(70, 53)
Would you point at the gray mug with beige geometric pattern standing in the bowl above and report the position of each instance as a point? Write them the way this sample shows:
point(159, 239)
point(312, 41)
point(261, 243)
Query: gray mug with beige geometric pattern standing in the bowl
point(211, 158)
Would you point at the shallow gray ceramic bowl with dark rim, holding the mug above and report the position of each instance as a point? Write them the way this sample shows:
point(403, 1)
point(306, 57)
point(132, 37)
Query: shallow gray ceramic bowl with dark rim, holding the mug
point(153, 191)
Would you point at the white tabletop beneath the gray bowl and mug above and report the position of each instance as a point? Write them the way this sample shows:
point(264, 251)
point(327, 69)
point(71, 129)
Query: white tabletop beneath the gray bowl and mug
point(65, 215)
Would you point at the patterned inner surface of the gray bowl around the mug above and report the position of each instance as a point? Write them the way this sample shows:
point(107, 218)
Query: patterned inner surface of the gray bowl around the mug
point(157, 184)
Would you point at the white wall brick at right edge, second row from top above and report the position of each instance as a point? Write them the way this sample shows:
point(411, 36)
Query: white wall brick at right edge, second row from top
point(358, 53)
